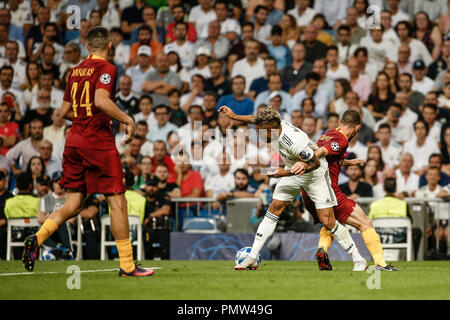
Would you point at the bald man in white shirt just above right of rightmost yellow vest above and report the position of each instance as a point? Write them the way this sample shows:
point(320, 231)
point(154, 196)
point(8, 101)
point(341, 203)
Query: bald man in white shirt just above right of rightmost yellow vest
point(407, 180)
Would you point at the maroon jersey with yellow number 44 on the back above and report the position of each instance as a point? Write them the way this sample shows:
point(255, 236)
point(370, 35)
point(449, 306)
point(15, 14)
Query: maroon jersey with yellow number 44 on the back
point(91, 127)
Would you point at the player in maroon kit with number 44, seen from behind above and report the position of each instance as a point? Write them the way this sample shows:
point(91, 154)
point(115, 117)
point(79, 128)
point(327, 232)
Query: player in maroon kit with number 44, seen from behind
point(91, 162)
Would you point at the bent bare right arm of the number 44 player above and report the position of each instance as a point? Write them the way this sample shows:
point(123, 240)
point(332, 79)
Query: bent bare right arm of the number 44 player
point(104, 103)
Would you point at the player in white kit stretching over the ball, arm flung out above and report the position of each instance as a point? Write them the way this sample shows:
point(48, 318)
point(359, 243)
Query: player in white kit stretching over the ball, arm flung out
point(306, 172)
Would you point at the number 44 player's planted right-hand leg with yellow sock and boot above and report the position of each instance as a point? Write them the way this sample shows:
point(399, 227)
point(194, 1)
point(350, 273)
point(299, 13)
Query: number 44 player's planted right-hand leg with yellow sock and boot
point(121, 233)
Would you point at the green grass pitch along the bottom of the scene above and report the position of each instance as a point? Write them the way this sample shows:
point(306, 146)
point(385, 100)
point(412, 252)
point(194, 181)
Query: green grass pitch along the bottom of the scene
point(217, 280)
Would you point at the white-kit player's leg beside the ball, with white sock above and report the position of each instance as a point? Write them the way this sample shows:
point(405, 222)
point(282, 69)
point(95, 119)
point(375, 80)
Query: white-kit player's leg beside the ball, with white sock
point(265, 229)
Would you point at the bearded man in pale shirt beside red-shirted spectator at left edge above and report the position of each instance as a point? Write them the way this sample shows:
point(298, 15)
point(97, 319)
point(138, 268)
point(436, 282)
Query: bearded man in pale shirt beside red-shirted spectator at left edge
point(26, 148)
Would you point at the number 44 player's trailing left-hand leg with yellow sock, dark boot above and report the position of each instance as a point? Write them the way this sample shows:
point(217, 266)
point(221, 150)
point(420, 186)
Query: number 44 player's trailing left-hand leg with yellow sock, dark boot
point(73, 205)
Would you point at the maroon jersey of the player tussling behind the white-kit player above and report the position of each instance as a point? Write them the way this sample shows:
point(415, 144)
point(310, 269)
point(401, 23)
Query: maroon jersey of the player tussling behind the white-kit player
point(336, 143)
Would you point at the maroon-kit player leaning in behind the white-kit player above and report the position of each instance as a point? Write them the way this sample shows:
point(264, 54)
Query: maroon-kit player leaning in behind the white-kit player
point(333, 145)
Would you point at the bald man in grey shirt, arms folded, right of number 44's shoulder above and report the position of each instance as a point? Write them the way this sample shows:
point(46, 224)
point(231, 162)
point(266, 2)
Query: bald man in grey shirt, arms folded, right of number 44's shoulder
point(161, 80)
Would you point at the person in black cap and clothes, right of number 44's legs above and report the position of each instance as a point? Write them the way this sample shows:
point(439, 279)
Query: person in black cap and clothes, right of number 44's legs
point(157, 224)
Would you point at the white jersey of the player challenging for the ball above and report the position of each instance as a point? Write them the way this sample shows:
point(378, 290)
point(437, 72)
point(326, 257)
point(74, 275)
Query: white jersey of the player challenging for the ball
point(294, 145)
